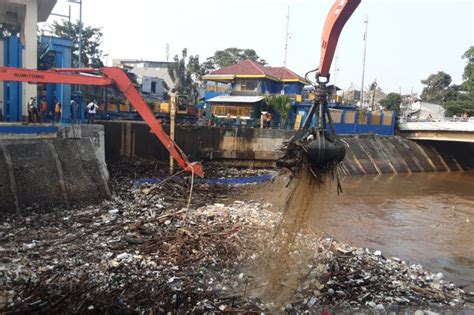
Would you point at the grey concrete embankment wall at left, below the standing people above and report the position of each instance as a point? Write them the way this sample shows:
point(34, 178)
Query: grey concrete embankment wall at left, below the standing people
point(52, 172)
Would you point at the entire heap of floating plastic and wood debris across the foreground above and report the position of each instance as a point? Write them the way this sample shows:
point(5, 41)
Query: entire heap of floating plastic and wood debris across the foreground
point(144, 252)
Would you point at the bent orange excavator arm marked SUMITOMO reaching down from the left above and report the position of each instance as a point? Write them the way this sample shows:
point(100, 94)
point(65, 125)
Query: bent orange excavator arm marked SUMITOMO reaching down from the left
point(110, 76)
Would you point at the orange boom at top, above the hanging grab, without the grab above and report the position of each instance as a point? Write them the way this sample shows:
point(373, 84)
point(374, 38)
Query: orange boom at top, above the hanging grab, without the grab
point(337, 17)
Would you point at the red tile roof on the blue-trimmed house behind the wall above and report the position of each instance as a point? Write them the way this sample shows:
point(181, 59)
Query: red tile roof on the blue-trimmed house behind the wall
point(252, 68)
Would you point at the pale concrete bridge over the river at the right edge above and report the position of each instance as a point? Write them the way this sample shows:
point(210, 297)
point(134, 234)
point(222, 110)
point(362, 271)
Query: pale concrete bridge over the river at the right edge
point(457, 131)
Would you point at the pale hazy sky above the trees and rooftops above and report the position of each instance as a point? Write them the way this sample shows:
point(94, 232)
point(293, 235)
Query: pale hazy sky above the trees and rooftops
point(407, 40)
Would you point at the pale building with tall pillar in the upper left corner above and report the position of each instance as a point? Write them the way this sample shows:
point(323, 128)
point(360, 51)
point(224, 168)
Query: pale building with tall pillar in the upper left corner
point(27, 13)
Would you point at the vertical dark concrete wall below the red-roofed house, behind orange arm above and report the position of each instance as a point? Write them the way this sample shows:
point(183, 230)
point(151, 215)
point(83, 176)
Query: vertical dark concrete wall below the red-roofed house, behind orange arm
point(129, 139)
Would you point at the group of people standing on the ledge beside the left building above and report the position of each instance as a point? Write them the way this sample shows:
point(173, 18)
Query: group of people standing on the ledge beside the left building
point(38, 111)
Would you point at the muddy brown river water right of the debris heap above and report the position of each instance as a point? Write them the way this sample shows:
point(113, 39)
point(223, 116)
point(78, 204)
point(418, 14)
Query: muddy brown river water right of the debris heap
point(424, 218)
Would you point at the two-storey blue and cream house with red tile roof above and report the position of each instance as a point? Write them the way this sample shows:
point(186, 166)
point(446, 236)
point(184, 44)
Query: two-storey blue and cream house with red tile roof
point(239, 89)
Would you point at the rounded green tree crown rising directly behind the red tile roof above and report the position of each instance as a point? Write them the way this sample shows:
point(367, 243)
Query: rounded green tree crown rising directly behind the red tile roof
point(229, 56)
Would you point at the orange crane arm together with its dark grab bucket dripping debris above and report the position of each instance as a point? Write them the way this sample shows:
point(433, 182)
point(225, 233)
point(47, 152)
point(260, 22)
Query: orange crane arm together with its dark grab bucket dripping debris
point(322, 149)
